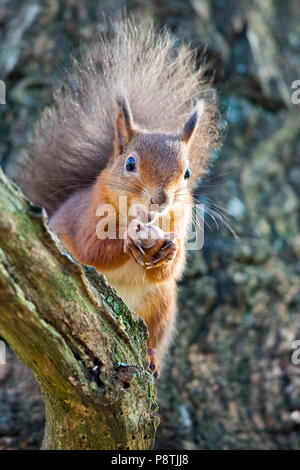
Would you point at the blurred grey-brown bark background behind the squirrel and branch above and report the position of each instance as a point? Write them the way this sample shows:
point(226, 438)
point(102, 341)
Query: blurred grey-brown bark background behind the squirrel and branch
point(229, 382)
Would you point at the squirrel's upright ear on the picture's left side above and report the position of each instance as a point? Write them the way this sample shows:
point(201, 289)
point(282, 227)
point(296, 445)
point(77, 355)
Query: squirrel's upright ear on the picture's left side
point(124, 130)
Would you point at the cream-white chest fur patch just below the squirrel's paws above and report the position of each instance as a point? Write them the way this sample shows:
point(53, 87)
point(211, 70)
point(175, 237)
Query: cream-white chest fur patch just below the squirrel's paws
point(129, 281)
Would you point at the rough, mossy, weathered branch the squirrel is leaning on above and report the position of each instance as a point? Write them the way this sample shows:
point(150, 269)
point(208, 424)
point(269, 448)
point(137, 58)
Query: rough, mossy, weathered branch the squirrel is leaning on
point(69, 327)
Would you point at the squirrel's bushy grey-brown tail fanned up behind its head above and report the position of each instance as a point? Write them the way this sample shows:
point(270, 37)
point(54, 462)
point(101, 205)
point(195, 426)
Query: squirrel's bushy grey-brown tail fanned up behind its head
point(74, 139)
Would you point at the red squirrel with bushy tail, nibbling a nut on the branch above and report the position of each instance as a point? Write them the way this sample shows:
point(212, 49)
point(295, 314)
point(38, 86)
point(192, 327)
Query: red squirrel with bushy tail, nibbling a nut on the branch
point(129, 121)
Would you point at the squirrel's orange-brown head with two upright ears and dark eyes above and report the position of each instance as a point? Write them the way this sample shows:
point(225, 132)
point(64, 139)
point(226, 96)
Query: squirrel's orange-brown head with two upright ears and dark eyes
point(151, 169)
